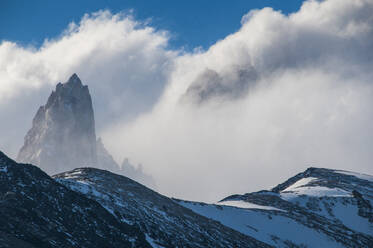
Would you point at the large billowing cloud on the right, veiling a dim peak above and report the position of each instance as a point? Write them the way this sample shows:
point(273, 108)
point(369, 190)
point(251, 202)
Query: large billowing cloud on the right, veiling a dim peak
point(281, 94)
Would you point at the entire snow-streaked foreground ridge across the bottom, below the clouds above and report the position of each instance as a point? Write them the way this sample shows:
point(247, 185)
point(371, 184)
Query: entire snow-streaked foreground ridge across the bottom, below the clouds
point(88, 207)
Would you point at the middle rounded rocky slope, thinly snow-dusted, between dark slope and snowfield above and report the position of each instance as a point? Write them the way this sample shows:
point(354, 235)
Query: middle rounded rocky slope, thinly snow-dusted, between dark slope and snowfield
point(165, 223)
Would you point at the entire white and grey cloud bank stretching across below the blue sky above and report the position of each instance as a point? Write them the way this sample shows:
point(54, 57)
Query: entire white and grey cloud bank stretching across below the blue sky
point(279, 95)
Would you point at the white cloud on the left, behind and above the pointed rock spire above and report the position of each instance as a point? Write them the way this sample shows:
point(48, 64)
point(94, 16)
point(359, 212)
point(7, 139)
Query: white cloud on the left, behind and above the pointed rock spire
point(124, 62)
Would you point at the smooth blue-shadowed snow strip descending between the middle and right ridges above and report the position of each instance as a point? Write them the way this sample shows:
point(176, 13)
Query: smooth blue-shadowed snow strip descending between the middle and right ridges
point(263, 226)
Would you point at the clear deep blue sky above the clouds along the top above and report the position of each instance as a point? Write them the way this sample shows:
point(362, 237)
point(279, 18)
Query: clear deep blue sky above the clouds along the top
point(191, 23)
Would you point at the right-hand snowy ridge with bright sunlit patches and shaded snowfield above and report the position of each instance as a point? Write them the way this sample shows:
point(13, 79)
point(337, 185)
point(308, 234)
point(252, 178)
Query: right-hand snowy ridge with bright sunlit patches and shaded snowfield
point(316, 208)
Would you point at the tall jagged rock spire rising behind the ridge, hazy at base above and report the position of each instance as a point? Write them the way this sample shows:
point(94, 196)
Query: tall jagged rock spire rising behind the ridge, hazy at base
point(63, 135)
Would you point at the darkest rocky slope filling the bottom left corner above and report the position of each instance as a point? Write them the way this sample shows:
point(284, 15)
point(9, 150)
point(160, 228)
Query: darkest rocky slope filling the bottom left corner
point(36, 211)
